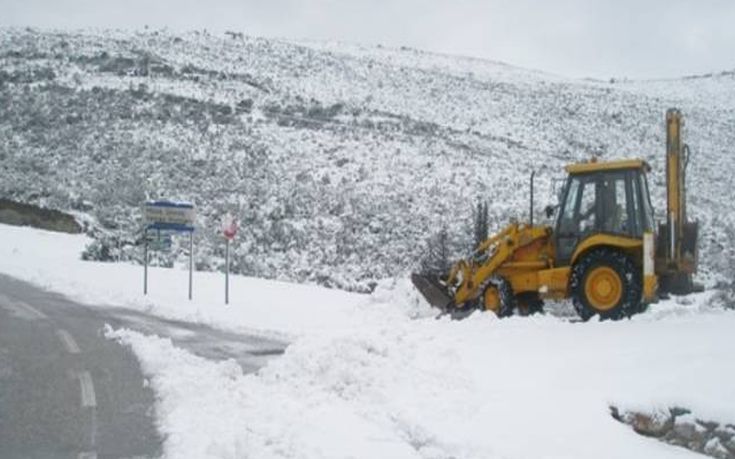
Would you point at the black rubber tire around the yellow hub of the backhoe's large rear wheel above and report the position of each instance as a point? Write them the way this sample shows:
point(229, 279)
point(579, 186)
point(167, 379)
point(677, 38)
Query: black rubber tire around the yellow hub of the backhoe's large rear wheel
point(630, 277)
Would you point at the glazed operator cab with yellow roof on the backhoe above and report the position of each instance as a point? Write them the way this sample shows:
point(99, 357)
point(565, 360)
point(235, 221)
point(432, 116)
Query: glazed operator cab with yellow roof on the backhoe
point(602, 198)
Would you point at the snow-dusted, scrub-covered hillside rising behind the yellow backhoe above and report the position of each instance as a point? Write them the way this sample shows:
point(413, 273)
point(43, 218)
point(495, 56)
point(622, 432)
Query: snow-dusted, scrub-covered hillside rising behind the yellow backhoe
point(340, 160)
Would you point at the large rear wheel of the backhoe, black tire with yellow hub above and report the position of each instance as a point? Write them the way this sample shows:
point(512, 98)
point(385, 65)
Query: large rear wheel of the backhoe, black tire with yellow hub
point(605, 282)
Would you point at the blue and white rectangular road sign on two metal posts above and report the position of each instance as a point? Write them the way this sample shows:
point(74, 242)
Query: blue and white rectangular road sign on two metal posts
point(166, 217)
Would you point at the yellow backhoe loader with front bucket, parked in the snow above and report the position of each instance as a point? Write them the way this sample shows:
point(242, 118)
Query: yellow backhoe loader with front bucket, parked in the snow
point(604, 250)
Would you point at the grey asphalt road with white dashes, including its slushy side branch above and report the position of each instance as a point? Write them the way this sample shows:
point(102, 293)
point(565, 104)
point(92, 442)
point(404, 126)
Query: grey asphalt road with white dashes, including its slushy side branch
point(67, 392)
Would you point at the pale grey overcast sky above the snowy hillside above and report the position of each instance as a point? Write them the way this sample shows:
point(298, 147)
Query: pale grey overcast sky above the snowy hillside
point(581, 38)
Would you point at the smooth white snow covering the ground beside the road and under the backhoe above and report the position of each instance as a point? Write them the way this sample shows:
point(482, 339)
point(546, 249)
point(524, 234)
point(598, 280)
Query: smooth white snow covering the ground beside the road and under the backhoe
point(379, 376)
